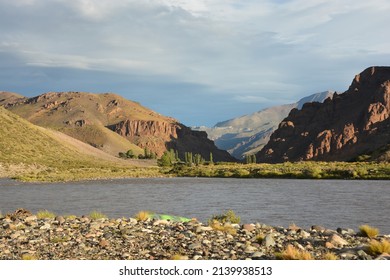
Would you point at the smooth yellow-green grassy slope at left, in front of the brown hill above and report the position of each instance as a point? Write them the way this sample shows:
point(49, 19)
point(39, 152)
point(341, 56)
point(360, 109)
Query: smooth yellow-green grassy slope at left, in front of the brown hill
point(29, 152)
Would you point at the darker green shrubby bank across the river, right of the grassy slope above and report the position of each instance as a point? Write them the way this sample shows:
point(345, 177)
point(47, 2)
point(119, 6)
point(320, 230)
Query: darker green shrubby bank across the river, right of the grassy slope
point(288, 170)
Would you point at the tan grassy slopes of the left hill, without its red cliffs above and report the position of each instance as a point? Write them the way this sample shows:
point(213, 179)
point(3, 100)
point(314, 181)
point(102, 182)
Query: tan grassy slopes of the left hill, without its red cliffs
point(84, 116)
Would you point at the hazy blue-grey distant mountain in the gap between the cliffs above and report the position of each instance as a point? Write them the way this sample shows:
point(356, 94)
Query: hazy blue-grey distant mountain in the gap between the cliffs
point(248, 134)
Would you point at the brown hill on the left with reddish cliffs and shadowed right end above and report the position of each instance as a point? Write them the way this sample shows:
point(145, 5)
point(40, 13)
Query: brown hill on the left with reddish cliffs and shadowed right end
point(111, 123)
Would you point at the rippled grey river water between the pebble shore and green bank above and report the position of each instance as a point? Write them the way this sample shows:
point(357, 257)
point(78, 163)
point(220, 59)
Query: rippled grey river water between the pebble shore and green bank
point(277, 202)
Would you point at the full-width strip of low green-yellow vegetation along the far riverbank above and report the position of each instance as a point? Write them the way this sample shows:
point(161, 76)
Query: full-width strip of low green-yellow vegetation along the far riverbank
point(87, 170)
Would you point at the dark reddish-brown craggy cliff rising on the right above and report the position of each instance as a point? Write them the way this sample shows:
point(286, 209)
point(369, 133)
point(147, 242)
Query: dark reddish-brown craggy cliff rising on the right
point(353, 123)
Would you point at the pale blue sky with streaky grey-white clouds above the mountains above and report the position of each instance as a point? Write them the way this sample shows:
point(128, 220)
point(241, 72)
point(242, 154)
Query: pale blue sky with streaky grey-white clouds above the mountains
point(199, 61)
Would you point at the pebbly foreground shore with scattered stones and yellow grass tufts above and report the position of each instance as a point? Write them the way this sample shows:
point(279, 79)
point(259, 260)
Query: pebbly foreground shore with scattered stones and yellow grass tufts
point(24, 236)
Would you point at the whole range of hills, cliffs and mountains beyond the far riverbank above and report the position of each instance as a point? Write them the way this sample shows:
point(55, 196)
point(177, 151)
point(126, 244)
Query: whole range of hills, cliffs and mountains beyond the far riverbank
point(354, 125)
